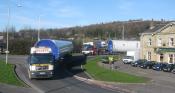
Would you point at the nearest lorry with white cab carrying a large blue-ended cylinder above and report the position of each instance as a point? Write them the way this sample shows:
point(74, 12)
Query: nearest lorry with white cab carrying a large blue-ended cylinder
point(45, 55)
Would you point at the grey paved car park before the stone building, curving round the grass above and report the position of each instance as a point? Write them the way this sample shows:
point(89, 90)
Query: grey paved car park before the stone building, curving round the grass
point(161, 82)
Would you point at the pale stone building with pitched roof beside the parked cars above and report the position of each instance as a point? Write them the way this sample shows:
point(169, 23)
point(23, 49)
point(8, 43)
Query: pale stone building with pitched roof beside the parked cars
point(158, 44)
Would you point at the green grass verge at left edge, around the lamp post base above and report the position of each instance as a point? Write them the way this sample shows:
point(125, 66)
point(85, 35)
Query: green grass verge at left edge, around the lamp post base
point(7, 74)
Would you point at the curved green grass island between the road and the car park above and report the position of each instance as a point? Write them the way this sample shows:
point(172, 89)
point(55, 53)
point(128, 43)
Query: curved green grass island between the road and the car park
point(100, 73)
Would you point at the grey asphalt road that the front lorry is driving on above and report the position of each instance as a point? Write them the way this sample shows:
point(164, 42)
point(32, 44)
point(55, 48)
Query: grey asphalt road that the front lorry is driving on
point(61, 83)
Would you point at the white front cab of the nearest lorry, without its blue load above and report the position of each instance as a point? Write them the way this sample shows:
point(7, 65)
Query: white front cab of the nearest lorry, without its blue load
point(40, 63)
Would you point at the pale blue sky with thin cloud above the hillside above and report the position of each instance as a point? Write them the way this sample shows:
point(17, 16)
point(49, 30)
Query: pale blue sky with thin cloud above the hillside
point(68, 13)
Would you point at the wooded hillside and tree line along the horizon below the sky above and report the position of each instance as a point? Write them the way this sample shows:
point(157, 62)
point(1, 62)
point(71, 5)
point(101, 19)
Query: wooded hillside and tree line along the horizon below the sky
point(21, 41)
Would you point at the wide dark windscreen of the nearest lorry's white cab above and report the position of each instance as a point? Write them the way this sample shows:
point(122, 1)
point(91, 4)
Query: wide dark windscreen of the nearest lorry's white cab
point(41, 58)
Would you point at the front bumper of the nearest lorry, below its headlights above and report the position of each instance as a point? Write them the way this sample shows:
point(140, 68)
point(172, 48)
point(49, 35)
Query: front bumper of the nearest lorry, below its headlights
point(41, 74)
